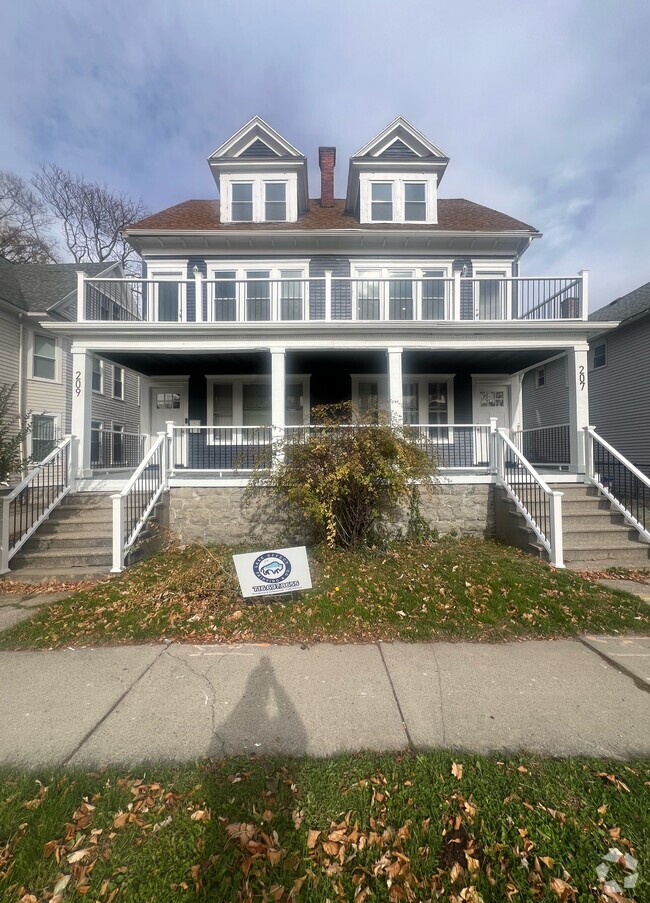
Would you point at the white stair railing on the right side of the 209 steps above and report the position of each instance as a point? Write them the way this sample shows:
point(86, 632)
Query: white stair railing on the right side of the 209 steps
point(133, 505)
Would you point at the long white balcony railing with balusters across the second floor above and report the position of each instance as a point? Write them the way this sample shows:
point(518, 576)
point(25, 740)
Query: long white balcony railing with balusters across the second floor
point(292, 298)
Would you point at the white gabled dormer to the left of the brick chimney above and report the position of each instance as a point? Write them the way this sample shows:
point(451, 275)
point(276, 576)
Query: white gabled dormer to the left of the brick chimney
point(261, 177)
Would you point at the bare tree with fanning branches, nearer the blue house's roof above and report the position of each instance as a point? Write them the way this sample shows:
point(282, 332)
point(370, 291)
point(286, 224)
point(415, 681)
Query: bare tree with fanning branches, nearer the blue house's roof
point(91, 216)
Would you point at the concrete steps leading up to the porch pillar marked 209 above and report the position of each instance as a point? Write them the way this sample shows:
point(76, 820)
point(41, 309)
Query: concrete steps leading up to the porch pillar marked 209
point(74, 543)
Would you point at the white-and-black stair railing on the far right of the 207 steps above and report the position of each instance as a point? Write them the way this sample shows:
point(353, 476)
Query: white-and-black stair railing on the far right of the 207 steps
point(626, 487)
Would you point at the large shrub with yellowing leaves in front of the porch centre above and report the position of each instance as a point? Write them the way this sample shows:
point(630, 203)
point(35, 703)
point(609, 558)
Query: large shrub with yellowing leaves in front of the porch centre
point(343, 476)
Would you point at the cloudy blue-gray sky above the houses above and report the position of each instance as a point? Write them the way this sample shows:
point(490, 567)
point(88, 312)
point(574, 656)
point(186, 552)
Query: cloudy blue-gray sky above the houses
point(542, 105)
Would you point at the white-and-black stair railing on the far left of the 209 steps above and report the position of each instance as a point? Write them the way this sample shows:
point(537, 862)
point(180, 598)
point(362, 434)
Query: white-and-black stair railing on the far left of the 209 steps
point(27, 505)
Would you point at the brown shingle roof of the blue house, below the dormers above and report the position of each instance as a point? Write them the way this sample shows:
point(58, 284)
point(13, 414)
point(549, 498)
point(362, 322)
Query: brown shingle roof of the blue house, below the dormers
point(454, 215)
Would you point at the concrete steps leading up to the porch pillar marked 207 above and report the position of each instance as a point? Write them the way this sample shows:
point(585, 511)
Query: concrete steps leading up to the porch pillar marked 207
point(596, 536)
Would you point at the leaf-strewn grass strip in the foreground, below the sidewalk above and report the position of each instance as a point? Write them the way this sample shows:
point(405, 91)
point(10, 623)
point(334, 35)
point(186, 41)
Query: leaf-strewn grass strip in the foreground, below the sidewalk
point(382, 828)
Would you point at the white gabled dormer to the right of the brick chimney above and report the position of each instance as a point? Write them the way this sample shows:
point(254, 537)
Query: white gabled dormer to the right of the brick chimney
point(395, 177)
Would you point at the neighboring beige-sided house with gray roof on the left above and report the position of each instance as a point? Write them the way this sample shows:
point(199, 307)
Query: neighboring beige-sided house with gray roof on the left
point(40, 363)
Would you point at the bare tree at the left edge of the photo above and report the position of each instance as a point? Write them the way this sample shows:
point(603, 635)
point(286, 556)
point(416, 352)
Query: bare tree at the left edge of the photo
point(25, 223)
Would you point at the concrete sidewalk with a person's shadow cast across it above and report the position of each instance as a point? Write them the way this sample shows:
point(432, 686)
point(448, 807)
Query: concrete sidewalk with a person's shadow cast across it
point(177, 703)
